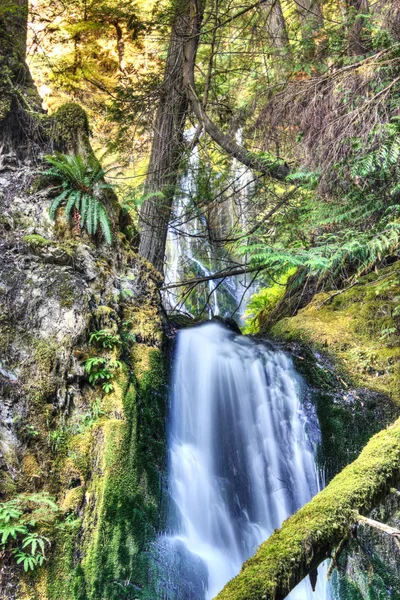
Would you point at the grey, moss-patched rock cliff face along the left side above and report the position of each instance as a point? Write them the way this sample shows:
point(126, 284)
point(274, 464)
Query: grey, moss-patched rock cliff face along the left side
point(97, 447)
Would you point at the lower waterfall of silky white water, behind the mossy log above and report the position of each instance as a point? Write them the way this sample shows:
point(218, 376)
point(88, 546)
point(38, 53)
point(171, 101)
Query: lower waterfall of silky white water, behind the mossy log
point(240, 460)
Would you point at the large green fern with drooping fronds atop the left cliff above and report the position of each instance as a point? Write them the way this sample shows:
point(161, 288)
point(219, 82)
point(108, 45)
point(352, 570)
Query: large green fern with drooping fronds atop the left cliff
point(80, 182)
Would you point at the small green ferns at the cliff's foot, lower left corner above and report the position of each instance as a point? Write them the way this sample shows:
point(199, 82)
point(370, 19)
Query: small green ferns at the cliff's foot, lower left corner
point(21, 523)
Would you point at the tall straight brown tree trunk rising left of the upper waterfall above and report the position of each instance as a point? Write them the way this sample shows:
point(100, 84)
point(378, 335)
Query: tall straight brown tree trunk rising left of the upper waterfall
point(167, 148)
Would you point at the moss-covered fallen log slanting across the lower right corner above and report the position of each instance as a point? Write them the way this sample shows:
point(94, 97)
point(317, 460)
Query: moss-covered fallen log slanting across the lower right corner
point(308, 537)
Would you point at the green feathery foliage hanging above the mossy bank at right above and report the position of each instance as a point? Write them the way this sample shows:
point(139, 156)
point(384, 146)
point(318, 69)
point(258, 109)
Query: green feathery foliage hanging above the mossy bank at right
point(347, 235)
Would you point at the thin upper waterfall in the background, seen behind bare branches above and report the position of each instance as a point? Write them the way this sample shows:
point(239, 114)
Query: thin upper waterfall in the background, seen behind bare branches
point(189, 256)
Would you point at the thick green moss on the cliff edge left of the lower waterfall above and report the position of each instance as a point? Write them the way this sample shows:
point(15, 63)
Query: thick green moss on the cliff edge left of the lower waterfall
point(122, 492)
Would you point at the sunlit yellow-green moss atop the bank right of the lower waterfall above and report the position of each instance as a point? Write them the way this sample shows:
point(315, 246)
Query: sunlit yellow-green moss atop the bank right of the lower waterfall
point(351, 329)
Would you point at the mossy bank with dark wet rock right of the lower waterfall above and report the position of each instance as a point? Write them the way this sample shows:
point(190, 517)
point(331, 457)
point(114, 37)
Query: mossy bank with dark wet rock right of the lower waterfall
point(346, 343)
